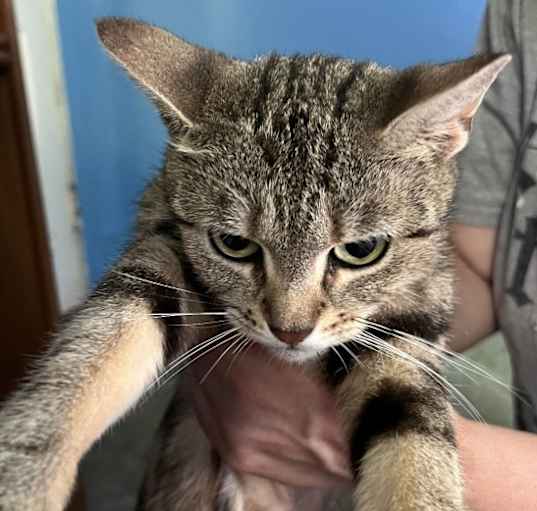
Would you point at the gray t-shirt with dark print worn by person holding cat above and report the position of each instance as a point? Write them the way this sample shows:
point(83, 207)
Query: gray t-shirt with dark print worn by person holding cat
point(498, 187)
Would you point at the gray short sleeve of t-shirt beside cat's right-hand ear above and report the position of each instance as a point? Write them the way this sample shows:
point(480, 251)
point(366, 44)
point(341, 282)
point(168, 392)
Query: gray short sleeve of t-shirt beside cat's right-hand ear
point(487, 164)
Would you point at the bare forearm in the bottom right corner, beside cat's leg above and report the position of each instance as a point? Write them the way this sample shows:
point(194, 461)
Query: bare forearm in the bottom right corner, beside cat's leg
point(499, 466)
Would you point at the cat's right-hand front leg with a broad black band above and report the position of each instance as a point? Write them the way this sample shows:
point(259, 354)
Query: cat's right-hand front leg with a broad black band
point(402, 441)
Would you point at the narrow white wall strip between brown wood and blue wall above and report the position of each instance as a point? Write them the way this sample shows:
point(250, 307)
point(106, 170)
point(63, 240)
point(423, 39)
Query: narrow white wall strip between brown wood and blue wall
point(38, 36)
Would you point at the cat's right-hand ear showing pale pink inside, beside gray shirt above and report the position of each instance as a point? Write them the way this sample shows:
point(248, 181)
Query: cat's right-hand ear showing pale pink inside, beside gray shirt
point(441, 102)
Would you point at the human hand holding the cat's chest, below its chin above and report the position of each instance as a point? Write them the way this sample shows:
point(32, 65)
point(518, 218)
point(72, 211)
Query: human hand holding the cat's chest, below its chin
point(270, 419)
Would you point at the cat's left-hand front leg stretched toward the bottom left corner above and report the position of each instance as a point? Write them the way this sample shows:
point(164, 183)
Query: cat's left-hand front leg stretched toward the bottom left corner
point(98, 365)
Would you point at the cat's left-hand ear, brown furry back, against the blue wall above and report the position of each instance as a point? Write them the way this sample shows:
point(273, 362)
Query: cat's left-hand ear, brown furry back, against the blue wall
point(176, 74)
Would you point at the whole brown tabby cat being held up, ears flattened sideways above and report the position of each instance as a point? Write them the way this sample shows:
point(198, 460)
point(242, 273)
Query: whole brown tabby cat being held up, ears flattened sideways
point(306, 200)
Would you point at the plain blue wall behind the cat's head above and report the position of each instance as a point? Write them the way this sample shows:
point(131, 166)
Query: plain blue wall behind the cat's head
point(118, 137)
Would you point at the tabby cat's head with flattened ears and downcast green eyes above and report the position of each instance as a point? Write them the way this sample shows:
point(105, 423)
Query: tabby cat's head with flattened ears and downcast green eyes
point(312, 192)
